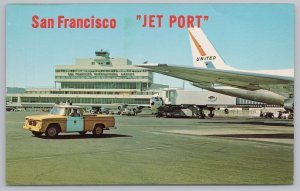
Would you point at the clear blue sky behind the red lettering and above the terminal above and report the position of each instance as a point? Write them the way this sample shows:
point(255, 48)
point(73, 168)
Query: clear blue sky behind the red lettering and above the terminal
point(247, 36)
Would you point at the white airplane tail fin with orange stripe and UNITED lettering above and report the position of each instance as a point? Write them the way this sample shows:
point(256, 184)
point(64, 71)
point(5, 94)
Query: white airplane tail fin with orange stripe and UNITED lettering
point(204, 53)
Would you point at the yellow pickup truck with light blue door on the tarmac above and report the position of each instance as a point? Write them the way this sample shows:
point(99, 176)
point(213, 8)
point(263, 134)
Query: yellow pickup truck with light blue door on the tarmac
point(68, 119)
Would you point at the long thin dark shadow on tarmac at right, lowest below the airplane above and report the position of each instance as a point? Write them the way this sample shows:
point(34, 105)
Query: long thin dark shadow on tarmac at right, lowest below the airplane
point(263, 136)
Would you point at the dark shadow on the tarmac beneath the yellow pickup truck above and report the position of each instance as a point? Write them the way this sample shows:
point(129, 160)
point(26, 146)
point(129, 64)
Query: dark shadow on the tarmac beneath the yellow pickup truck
point(87, 136)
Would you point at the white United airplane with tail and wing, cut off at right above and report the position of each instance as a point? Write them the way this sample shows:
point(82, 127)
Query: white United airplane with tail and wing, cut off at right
point(210, 72)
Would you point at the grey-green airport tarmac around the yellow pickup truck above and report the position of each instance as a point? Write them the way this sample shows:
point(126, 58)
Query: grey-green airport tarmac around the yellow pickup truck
point(146, 150)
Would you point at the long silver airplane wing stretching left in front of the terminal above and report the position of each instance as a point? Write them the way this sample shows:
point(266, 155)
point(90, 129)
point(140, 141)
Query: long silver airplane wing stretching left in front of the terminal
point(244, 80)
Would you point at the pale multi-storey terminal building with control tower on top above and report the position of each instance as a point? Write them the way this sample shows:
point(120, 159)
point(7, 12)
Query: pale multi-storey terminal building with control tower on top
point(94, 81)
